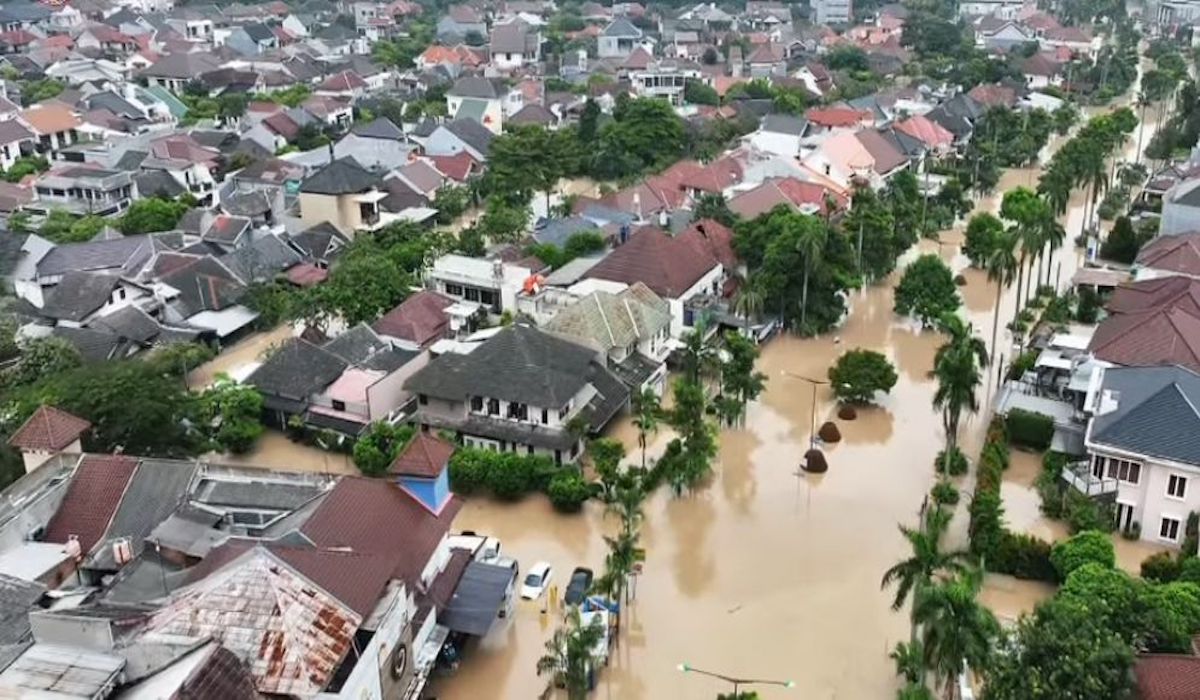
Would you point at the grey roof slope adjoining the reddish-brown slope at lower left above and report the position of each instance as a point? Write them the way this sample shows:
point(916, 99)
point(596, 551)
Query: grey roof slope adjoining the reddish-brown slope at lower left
point(157, 489)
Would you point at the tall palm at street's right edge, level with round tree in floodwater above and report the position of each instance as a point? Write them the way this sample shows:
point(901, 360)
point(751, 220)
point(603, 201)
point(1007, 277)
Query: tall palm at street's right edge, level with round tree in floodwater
point(957, 367)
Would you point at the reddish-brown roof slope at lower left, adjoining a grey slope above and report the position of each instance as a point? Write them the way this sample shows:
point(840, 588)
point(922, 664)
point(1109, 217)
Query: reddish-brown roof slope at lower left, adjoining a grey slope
point(92, 500)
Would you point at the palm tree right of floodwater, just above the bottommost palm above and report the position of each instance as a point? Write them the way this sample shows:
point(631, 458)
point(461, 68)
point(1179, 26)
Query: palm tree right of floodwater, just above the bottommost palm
point(916, 573)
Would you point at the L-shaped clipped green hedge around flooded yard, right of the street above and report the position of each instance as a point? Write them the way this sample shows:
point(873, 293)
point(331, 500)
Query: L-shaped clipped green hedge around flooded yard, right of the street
point(1003, 552)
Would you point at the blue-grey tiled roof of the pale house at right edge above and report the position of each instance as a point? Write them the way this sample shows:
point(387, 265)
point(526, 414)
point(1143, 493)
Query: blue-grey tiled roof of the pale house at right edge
point(1156, 414)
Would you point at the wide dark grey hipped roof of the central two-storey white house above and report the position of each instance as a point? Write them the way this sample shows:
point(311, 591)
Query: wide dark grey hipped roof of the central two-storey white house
point(519, 364)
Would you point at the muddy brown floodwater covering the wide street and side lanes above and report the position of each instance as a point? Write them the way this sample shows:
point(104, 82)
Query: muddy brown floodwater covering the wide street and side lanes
point(766, 573)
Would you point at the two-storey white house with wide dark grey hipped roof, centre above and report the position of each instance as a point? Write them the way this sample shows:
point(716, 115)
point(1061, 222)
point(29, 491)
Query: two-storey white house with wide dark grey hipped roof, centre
point(520, 391)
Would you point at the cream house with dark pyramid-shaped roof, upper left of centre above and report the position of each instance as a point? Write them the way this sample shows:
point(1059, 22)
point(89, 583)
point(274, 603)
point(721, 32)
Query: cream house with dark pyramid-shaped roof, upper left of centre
point(344, 194)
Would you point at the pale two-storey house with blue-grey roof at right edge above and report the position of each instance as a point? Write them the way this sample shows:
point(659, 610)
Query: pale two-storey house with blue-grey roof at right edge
point(1138, 441)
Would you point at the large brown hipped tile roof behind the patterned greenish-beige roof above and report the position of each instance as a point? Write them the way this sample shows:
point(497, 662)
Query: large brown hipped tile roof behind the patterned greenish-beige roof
point(668, 266)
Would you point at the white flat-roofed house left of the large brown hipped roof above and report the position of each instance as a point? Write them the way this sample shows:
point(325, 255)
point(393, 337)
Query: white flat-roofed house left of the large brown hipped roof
point(491, 285)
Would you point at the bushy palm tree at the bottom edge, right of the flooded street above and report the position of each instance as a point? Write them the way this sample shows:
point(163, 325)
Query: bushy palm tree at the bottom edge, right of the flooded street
point(957, 631)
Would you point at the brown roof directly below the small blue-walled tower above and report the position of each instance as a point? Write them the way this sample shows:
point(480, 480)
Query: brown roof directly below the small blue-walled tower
point(377, 517)
